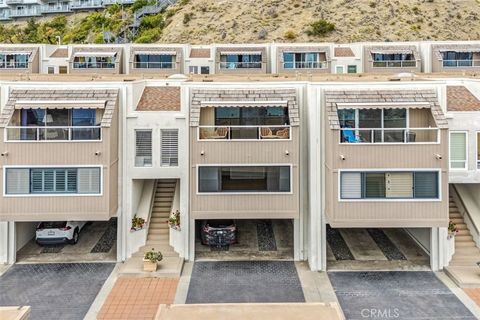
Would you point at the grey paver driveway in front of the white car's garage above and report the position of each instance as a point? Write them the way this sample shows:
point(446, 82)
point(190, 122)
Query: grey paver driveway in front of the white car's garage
point(54, 291)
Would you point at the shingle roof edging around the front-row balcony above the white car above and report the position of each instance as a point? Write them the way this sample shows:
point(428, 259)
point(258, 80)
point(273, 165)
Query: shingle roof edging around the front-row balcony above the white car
point(108, 95)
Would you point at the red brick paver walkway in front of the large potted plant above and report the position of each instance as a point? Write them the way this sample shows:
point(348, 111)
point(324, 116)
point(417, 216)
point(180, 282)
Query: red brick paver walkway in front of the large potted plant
point(138, 298)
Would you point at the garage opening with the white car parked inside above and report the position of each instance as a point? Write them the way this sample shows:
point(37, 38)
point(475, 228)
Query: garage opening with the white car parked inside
point(66, 241)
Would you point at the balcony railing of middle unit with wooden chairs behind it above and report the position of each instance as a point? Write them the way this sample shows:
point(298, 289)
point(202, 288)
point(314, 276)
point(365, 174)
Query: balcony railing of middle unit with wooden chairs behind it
point(244, 132)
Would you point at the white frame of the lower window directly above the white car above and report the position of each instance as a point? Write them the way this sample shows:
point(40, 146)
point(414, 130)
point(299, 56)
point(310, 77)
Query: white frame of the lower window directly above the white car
point(5, 194)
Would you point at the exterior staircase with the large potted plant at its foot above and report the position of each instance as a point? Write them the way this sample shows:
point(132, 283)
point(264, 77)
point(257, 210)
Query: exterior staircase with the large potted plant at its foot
point(158, 236)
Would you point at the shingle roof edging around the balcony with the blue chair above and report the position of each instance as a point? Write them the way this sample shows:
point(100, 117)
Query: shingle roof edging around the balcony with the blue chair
point(334, 97)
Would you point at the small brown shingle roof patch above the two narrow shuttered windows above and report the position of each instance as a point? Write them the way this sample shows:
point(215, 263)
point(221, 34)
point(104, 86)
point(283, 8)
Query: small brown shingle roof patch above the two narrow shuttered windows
point(160, 99)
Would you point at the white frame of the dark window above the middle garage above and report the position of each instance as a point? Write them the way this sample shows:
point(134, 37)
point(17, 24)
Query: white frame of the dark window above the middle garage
point(197, 180)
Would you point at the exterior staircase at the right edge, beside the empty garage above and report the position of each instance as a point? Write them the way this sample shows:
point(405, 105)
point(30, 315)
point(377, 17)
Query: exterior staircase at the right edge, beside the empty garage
point(463, 267)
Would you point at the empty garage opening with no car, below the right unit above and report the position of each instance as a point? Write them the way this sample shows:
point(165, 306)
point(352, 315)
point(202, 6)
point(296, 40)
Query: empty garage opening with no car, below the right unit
point(372, 249)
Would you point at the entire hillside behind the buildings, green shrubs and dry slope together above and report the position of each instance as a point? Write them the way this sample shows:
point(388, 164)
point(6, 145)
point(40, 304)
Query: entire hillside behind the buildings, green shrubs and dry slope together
point(233, 21)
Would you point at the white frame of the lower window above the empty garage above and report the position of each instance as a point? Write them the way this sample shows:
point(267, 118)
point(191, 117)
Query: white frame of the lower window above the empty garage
point(439, 172)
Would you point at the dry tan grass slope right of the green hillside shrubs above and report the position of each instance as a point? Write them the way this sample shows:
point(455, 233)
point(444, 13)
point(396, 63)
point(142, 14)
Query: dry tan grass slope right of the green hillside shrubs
point(223, 21)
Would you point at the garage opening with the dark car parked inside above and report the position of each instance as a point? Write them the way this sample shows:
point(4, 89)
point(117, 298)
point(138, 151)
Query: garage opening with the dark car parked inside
point(244, 239)
